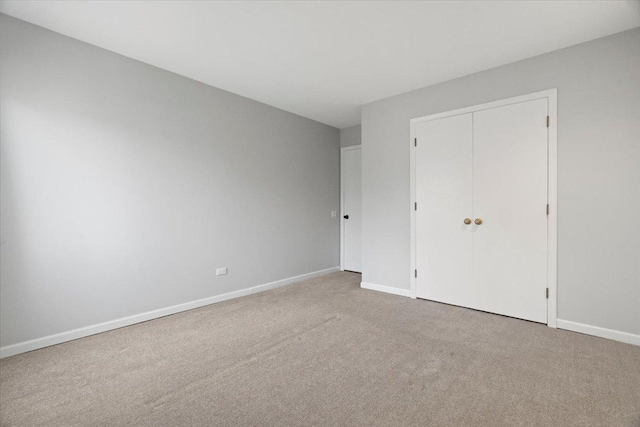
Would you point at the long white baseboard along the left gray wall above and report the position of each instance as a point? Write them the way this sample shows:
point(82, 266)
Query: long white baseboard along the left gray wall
point(47, 341)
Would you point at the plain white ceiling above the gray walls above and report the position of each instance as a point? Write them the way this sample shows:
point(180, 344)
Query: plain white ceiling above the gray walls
point(323, 60)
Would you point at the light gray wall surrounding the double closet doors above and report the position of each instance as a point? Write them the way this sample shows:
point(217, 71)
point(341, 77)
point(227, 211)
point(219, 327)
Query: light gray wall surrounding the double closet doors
point(598, 172)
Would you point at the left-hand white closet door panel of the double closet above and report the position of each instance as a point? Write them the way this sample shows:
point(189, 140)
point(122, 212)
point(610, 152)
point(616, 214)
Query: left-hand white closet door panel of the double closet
point(443, 194)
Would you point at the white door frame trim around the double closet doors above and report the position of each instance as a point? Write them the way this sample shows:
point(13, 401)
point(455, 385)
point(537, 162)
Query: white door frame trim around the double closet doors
point(552, 188)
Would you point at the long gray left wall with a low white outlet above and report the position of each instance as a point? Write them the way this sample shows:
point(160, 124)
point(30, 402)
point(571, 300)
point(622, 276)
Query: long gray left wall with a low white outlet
point(124, 187)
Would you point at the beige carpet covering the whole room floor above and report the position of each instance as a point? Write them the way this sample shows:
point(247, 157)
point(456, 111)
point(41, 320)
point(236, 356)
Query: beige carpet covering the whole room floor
point(326, 352)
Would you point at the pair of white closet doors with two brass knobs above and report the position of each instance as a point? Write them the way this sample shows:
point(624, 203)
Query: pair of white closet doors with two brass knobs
point(489, 167)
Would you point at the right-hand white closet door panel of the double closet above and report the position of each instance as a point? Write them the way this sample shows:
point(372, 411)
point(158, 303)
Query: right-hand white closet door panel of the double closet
point(510, 197)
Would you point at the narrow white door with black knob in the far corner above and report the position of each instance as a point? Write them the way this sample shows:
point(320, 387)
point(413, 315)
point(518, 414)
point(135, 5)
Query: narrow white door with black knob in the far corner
point(351, 176)
